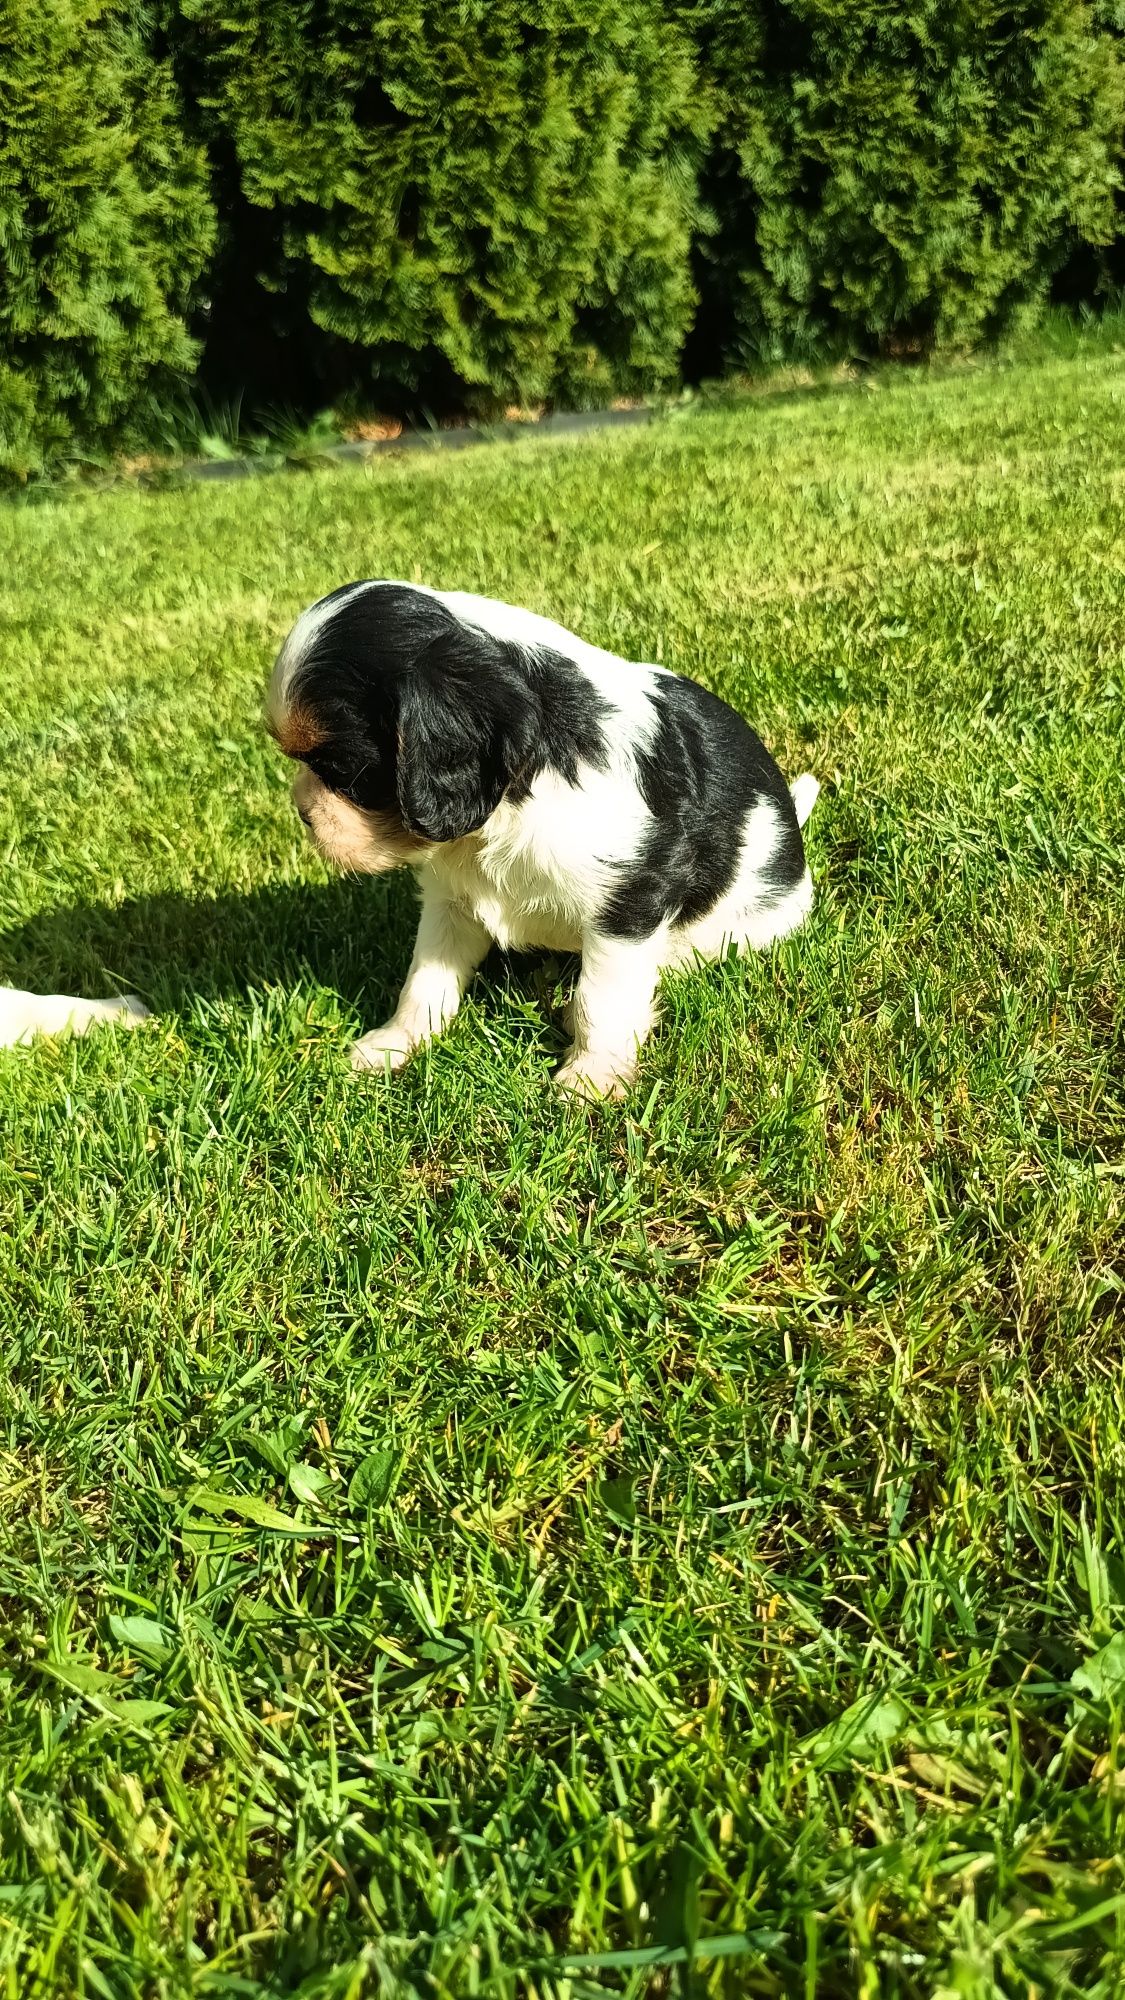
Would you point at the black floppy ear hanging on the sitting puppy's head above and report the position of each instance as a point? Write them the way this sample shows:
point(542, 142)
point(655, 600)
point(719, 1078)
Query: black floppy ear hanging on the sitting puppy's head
point(453, 765)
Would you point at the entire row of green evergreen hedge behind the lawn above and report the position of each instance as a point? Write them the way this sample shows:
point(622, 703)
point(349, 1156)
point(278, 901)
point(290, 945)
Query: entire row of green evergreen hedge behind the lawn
point(417, 203)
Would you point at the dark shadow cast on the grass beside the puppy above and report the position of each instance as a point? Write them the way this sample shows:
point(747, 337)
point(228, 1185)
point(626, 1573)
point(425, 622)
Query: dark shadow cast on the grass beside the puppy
point(351, 937)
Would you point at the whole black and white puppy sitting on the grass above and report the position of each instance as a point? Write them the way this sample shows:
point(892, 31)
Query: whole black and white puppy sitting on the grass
point(547, 793)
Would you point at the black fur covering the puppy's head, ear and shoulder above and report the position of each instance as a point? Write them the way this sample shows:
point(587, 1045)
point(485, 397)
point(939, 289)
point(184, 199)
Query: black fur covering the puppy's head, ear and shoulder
point(433, 719)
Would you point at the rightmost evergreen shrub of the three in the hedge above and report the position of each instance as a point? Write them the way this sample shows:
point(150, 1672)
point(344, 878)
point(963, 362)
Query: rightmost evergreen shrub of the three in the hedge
point(900, 175)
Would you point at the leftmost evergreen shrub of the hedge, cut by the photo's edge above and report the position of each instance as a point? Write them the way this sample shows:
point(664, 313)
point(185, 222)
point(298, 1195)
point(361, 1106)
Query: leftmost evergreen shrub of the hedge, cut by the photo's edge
point(105, 223)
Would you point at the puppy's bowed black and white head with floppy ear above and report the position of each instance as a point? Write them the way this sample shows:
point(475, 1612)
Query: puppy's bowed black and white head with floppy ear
point(407, 725)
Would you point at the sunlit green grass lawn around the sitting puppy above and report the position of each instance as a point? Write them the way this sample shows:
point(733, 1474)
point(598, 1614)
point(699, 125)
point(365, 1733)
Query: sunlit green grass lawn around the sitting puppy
point(455, 1543)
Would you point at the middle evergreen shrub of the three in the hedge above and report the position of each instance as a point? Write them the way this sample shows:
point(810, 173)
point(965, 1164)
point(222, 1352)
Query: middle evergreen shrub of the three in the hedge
point(501, 195)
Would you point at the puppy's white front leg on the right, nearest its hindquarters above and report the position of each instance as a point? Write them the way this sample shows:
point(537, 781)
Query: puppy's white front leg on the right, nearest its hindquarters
point(616, 1005)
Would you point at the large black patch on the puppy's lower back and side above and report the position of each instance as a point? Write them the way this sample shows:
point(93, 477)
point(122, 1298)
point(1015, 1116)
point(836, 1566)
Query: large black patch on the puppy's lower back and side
point(704, 775)
